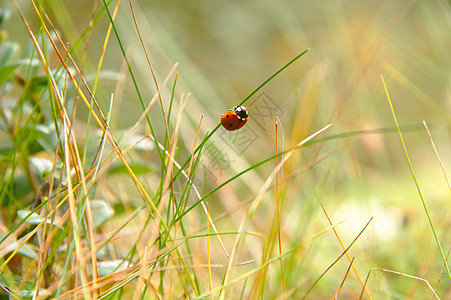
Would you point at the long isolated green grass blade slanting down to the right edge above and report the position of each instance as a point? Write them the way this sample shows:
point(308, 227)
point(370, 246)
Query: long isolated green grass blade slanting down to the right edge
point(415, 178)
